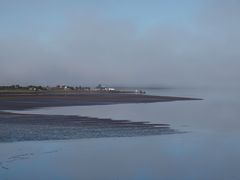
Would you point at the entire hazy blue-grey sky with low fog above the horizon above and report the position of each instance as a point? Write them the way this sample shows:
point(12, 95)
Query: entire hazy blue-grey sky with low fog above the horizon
point(120, 42)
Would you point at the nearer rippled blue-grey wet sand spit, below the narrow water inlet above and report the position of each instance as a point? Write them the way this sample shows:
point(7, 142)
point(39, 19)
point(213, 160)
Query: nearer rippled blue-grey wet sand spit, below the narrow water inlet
point(27, 127)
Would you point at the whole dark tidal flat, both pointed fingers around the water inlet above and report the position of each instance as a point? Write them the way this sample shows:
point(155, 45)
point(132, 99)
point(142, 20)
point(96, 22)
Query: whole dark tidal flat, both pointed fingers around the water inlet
point(16, 127)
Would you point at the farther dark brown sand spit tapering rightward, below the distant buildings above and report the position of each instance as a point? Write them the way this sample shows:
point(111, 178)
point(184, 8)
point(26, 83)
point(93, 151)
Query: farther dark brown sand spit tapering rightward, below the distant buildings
point(29, 101)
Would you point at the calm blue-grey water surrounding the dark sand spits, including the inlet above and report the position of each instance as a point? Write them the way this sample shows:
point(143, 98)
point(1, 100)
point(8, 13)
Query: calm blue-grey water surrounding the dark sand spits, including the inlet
point(210, 149)
